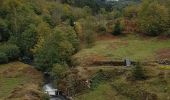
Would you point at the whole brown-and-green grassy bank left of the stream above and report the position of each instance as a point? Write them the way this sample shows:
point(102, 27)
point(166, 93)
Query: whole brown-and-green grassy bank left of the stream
point(19, 81)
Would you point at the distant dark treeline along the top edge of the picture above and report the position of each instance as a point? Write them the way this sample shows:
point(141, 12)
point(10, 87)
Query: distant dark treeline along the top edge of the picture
point(96, 5)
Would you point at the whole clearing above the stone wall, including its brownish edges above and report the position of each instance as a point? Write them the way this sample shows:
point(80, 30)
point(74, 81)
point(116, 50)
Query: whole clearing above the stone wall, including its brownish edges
point(132, 47)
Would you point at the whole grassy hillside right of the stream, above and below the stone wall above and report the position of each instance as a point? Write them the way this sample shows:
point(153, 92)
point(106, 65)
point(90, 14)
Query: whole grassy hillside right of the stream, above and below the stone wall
point(156, 87)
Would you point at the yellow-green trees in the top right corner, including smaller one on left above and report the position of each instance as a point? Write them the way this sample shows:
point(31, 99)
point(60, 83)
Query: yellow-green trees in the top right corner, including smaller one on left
point(152, 17)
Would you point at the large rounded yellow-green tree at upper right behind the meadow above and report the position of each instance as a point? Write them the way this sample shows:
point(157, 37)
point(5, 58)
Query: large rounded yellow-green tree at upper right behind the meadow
point(153, 18)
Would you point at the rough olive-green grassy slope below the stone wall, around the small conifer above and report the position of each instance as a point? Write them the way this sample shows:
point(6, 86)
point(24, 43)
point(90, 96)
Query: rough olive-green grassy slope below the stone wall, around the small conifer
point(120, 88)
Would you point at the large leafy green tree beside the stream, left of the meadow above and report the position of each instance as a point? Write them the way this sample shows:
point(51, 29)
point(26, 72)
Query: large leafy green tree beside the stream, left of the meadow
point(55, 49)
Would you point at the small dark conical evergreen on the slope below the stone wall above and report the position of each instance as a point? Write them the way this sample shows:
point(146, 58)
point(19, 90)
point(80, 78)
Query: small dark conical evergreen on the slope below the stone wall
point(138, 72)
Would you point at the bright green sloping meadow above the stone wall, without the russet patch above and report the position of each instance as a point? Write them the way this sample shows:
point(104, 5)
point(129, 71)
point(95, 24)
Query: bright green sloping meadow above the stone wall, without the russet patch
point(131, 47)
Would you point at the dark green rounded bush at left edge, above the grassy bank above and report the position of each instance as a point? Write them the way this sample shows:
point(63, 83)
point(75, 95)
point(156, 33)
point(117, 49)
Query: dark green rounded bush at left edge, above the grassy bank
point(11, 51)
